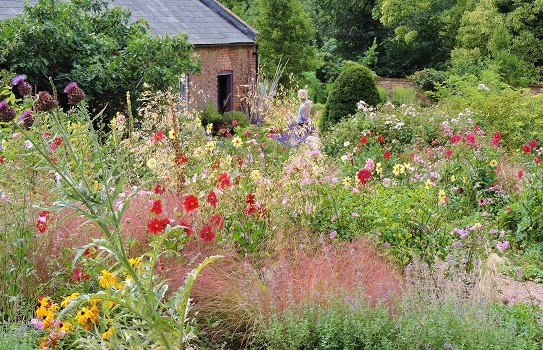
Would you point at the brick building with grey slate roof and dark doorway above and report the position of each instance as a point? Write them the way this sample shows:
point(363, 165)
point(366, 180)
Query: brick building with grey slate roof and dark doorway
point(226, 45)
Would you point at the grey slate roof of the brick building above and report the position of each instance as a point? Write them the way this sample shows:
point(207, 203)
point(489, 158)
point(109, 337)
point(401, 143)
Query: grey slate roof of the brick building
point(206, 22)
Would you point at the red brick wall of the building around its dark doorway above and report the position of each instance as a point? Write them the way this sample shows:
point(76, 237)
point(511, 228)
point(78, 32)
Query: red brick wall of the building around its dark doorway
point(240, 59)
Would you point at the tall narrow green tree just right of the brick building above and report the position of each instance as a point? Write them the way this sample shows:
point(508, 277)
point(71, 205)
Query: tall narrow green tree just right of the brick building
point(286, 36)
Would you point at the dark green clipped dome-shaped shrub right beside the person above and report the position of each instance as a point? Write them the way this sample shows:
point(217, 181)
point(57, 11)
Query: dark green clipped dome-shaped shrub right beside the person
point(355, 83)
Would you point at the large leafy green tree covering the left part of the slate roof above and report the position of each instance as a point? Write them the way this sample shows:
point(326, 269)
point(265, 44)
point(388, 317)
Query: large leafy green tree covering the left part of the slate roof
point(99, 47)
